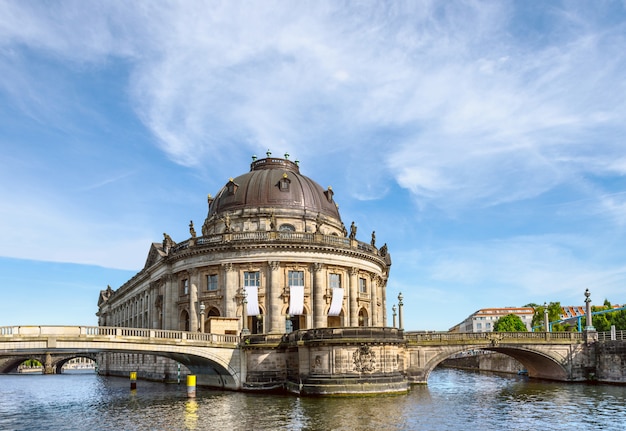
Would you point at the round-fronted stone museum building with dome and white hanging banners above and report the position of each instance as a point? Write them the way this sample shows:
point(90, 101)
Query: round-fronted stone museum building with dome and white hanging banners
point(273, 256)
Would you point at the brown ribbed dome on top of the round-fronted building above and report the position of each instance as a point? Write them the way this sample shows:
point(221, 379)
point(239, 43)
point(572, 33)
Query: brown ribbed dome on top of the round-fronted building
point(274, 188)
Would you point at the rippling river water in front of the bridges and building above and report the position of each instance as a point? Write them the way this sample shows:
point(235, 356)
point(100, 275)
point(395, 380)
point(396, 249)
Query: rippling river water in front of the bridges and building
point(453, 400)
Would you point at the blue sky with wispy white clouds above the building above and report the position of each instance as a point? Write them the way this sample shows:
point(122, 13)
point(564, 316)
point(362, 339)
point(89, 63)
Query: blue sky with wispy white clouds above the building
point(484, 142)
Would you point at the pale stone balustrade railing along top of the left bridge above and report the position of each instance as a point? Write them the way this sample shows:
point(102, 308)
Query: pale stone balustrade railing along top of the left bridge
point(114, 331)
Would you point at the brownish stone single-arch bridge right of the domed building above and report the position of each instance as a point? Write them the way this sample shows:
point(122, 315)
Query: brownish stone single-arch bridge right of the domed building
point(564, 356)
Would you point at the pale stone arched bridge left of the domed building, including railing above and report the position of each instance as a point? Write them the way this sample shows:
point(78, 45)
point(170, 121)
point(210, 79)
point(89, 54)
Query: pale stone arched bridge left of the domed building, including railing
point(214, 358)
